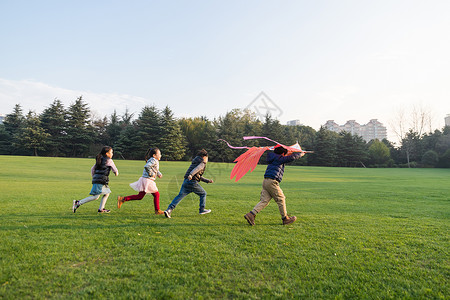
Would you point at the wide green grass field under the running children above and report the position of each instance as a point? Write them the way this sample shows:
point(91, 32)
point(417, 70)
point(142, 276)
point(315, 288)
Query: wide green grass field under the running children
point(361, 234)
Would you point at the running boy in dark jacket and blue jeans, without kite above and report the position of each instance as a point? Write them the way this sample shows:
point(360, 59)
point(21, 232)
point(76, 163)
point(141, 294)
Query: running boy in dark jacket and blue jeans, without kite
point(193, 175)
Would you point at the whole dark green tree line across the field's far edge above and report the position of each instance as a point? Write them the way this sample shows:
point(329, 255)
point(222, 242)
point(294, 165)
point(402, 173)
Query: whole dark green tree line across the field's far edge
point(75, 132)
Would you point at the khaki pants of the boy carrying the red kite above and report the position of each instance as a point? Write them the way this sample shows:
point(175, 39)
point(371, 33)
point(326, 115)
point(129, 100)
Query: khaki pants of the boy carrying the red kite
point(271, 189)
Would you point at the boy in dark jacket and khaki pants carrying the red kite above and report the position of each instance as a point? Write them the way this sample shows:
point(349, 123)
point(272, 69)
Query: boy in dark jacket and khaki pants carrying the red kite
point(271, 185)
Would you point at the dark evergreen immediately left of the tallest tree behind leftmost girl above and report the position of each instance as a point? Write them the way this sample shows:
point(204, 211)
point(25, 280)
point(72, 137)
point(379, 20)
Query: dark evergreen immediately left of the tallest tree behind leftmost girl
point(53, 120)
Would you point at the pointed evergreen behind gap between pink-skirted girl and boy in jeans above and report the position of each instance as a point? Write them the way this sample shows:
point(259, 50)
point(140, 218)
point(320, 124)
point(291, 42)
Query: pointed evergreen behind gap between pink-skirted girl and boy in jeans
point(172, 143)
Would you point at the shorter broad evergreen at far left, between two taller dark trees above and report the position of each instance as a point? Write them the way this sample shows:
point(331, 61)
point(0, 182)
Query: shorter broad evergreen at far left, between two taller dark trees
point(32, 136)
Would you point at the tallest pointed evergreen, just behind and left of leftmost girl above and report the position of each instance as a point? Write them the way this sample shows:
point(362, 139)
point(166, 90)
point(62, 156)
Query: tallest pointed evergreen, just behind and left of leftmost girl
point(79, 131)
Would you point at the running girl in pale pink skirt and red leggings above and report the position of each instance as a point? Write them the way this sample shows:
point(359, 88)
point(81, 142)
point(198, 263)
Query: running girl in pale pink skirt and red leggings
point(146, 184)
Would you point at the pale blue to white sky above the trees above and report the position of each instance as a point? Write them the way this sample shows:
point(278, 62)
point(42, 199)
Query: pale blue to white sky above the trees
point(308, 60)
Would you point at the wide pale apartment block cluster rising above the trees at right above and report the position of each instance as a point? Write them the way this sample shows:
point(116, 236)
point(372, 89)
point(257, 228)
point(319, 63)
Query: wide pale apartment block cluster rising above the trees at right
point(370, 131)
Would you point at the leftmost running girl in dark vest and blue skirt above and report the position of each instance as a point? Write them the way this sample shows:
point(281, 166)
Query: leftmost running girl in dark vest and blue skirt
point(100, 178)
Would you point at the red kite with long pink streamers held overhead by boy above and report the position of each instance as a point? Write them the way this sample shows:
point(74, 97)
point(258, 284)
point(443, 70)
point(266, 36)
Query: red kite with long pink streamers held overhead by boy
point(249, 159)
